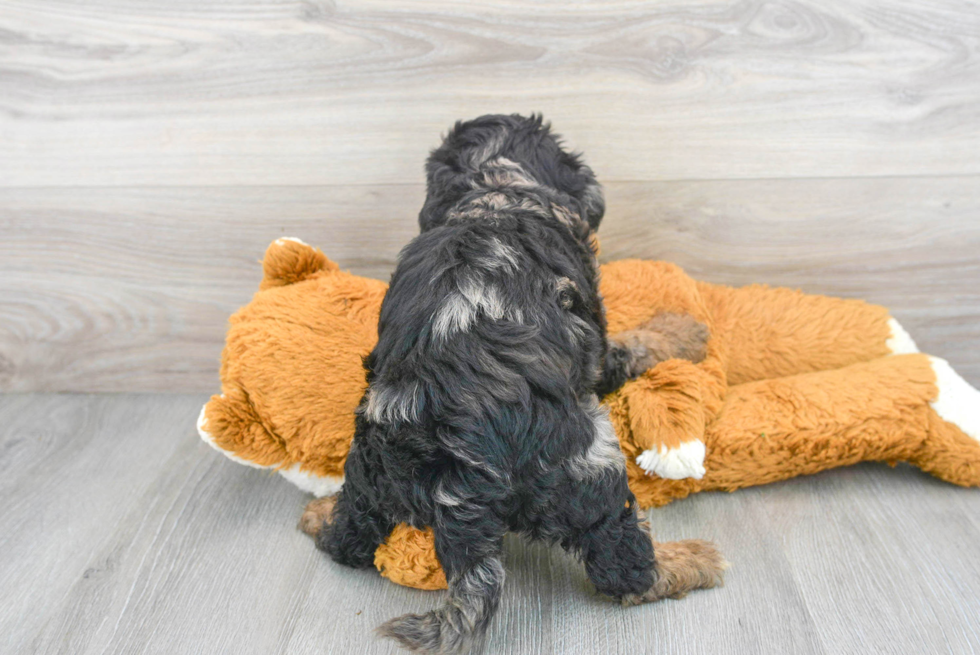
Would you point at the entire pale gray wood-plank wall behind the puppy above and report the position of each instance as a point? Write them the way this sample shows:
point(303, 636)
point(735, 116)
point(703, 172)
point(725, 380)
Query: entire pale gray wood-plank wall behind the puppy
point(149, 152)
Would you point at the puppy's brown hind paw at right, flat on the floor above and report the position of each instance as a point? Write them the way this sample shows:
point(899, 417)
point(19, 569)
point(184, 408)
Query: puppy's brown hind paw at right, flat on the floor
point(681, 567)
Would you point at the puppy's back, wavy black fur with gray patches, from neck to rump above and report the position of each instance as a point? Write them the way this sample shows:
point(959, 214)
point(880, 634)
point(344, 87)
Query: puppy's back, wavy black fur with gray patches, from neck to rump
point(484, 327)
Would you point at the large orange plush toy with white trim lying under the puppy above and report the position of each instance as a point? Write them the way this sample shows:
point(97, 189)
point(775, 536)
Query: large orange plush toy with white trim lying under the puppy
point(791, 384)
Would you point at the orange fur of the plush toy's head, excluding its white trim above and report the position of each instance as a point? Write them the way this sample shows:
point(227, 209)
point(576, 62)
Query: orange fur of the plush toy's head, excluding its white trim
point(292, 364)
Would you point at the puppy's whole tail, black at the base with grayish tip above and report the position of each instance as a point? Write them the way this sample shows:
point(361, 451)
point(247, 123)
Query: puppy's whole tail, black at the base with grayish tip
point(468, 543)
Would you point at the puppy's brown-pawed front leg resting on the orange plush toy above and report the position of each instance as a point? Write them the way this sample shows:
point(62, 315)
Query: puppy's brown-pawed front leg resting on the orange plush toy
point(665, 336)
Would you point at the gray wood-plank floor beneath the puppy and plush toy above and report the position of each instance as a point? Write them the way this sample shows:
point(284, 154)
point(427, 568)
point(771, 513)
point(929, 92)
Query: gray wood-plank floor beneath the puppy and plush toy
point(122, 533)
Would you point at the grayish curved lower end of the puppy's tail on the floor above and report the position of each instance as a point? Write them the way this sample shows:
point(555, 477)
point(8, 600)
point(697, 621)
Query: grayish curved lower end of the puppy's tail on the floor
point(459, 624)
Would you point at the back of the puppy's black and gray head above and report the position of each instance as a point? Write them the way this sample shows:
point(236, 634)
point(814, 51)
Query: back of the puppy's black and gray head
point(501, 151)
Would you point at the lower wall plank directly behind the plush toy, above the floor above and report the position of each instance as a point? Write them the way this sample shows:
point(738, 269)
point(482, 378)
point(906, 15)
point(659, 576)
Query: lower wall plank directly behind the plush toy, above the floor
point(130, 289)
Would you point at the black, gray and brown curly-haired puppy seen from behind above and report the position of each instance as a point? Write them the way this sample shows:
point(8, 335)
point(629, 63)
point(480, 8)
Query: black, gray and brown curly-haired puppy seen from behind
point(482, 411)
